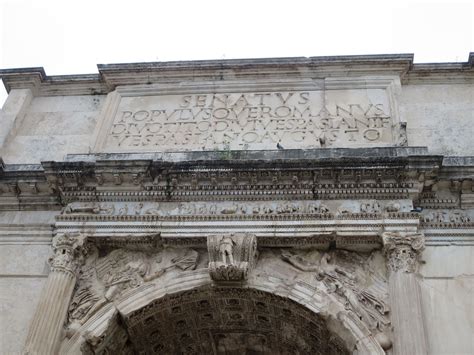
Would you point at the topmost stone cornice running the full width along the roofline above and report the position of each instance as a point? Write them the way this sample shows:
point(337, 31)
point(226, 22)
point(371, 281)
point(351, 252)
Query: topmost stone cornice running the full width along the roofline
point(111, 76)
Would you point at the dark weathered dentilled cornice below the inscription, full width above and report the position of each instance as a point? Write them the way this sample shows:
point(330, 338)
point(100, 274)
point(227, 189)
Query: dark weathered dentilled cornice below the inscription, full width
point(321, 174)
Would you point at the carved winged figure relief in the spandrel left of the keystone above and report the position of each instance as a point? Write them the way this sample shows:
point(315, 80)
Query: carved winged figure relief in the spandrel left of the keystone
point(106, 278)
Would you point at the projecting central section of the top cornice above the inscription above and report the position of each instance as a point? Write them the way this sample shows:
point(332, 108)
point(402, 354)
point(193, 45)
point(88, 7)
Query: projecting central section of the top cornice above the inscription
point(240, 69)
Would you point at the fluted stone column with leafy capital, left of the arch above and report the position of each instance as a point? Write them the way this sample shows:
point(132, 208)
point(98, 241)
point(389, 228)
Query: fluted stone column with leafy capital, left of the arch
point(46, 328)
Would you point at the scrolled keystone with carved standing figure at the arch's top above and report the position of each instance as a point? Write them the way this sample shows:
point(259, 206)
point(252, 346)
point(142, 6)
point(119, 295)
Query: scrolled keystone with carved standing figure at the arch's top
point(231, 256)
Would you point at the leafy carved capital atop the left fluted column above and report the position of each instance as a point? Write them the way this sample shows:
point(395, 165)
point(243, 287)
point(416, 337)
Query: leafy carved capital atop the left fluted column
point(69, 251)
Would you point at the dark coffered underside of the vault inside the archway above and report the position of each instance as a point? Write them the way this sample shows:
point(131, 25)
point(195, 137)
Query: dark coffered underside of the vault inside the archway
point(229, 321)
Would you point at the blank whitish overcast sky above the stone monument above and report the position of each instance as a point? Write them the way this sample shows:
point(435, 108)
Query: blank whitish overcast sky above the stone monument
point(71, 37)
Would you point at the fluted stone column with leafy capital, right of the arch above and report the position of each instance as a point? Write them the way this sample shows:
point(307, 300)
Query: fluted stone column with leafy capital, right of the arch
point(403, 251)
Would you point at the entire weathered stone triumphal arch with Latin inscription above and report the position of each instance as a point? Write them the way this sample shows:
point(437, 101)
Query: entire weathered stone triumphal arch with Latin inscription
point(318, 205)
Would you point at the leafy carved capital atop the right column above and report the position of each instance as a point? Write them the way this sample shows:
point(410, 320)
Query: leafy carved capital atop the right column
point(403, 250)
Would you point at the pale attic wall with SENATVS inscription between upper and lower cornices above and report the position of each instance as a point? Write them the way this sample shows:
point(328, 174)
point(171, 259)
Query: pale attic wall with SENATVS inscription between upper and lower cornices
point(51, 127)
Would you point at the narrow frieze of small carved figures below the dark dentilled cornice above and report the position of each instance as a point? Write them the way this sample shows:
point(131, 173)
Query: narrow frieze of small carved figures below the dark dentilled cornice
point(235, 209)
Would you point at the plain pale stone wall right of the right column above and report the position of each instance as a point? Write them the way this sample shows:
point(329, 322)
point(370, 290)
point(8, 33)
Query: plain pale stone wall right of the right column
point(447, 298)
